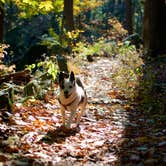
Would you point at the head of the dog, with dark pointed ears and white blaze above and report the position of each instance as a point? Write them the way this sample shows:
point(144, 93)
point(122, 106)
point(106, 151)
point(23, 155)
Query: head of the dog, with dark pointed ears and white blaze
point(67, 84)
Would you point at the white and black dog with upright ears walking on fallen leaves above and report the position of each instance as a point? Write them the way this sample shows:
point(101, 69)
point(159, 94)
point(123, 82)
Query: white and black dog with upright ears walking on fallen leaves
point(72, 96)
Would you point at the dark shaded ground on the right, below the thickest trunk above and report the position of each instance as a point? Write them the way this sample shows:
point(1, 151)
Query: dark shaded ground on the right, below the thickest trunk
point(145, 136)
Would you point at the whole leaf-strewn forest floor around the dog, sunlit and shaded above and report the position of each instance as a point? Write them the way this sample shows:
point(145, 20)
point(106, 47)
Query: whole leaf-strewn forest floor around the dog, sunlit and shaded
point(114, 132)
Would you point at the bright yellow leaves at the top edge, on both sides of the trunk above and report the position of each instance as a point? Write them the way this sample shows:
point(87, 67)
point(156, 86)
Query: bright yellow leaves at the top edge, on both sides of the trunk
point(33, 7)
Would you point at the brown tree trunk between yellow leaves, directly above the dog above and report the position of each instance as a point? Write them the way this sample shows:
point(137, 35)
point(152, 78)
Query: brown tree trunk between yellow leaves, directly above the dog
point(68, 18)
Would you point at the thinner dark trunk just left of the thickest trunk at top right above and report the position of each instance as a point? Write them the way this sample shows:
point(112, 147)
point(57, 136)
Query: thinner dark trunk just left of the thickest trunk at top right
point(129, 16)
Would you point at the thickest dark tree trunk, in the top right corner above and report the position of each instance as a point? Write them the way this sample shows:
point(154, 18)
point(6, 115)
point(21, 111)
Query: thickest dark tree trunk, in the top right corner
point(154, 33)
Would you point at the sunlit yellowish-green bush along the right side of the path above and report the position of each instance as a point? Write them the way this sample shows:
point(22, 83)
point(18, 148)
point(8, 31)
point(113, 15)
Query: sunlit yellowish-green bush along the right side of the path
point(128, 71)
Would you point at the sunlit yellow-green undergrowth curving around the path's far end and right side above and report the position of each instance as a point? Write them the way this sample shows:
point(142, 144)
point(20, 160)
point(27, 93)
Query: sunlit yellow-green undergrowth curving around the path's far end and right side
point(128, 63)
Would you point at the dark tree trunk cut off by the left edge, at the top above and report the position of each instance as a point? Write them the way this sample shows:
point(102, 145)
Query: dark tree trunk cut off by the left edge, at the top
point(1, 20)
